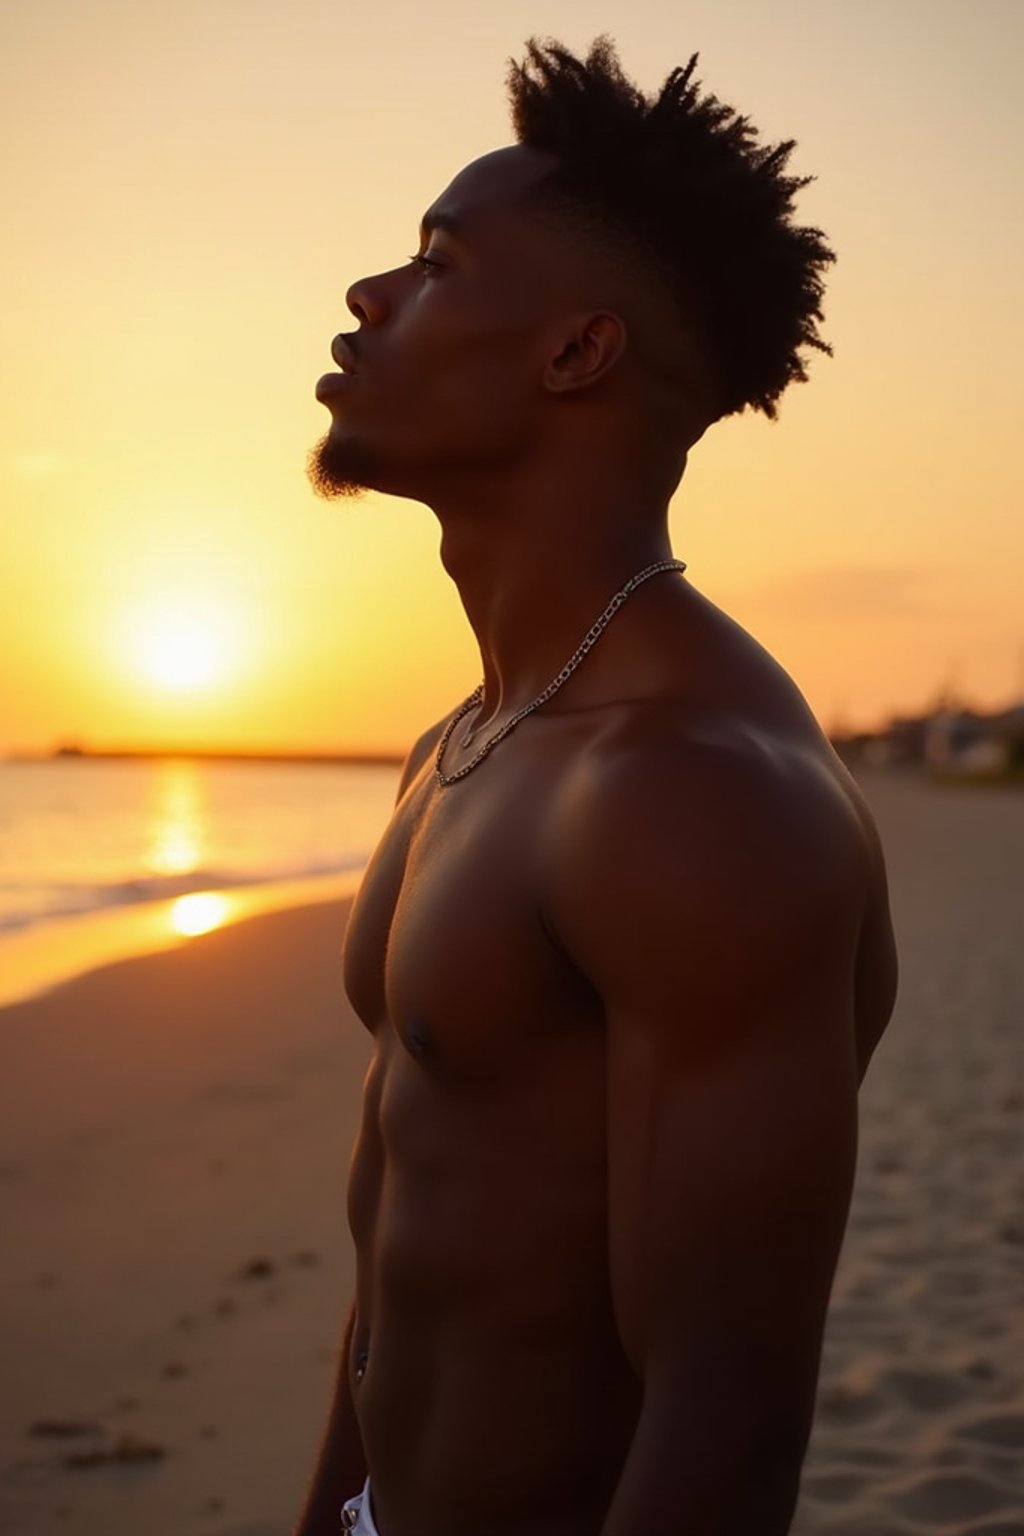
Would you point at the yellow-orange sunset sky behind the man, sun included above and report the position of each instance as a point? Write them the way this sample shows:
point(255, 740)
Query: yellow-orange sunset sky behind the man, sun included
point(194, 185)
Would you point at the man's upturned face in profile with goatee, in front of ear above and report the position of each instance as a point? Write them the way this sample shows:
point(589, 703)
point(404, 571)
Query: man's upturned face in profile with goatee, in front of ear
point(441, 376)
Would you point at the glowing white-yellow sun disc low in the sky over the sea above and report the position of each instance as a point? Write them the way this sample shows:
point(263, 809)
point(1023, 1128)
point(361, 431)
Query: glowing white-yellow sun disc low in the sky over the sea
point(183, 643)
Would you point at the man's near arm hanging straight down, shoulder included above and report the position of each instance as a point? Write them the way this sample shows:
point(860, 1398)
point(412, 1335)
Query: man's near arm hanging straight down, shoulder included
point(713, 898)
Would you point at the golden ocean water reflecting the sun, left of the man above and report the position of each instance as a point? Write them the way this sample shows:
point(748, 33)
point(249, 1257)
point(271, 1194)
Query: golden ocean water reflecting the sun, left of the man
point(88, 836)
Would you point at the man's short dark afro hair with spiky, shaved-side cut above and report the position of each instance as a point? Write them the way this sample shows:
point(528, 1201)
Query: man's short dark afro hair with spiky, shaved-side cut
point(685, 180)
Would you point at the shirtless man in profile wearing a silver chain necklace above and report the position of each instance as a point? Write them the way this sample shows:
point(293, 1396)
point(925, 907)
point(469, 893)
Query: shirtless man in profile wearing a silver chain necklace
point(624, 964)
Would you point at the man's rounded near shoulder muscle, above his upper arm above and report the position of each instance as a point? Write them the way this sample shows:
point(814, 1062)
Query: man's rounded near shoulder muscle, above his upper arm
point(735, 859)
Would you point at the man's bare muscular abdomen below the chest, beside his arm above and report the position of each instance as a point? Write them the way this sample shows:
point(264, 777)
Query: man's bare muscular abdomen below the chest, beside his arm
point(494, 1392)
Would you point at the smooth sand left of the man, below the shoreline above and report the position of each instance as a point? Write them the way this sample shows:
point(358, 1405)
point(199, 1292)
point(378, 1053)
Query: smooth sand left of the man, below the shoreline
point(173, 1156)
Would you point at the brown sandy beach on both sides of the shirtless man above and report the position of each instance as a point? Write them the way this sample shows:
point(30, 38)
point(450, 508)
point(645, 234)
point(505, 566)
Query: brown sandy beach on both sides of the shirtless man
point(174, 1265)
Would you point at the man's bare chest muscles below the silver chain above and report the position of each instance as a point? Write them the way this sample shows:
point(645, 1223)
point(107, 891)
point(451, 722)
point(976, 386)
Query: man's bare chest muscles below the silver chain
point(446, 942)
